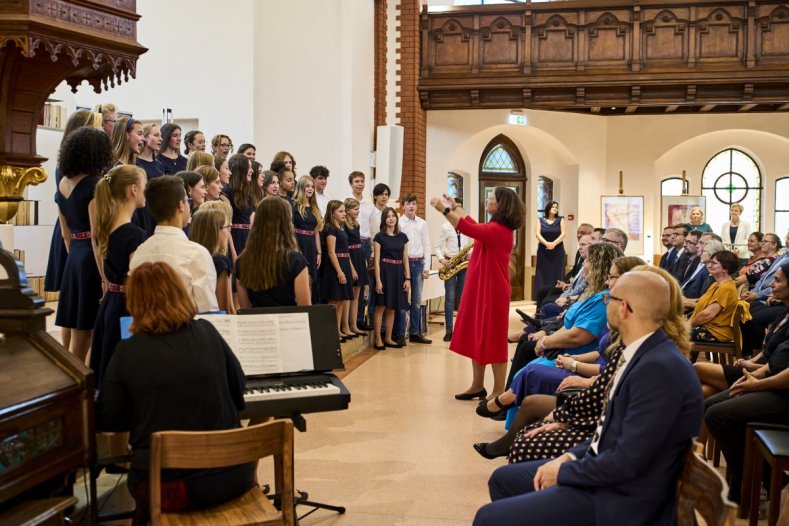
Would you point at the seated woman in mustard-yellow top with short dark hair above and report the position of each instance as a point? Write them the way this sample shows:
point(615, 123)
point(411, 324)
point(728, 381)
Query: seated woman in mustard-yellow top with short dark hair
point(711, 320)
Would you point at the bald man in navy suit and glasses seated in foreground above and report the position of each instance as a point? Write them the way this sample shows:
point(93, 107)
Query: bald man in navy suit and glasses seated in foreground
point(628, 472)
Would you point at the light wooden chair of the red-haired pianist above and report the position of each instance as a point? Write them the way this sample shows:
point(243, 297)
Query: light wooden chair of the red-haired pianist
point(214, 449)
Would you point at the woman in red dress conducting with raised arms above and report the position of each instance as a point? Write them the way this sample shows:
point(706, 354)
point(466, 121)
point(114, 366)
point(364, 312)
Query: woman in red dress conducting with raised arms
point(483, 314)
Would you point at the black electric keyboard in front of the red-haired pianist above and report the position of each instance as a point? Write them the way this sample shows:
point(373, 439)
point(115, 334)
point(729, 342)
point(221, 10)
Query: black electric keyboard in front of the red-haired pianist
point(285, 396)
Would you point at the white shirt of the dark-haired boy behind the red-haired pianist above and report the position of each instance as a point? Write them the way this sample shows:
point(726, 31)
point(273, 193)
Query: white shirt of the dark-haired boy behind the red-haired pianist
point(190, 260)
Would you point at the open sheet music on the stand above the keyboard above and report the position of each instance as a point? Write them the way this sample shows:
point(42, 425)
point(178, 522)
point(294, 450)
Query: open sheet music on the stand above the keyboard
point(264, 344)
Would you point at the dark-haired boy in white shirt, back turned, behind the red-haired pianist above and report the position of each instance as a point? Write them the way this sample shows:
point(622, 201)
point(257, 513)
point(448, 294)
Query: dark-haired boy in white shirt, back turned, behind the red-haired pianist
point(166, 199)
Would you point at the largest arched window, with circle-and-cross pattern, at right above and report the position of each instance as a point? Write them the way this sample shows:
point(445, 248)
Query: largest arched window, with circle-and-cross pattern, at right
point(732, 176)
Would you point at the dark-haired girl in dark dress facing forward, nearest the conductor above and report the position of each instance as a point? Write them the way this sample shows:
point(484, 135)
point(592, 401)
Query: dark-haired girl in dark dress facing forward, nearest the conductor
point(392, 276)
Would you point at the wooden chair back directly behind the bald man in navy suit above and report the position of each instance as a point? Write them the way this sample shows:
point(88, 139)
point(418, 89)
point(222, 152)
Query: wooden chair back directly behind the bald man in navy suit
point(702, 489)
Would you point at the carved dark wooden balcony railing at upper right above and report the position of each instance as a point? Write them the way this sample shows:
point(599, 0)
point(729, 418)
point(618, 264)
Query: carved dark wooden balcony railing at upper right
point(608, 56)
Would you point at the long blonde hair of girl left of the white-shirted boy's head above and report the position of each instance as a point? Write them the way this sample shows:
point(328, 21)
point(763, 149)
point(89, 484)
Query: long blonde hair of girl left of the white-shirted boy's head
point(111, 191)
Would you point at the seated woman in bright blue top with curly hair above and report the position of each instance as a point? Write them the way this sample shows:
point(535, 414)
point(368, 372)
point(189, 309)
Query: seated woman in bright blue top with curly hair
point(584, 323)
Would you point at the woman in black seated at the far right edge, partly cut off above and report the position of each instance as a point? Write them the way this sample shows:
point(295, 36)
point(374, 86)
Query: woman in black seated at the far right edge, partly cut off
point(758, 396)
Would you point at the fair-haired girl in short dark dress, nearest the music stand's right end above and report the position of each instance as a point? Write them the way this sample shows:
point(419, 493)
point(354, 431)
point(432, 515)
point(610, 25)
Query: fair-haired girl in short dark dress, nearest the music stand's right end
point(338, 274)
